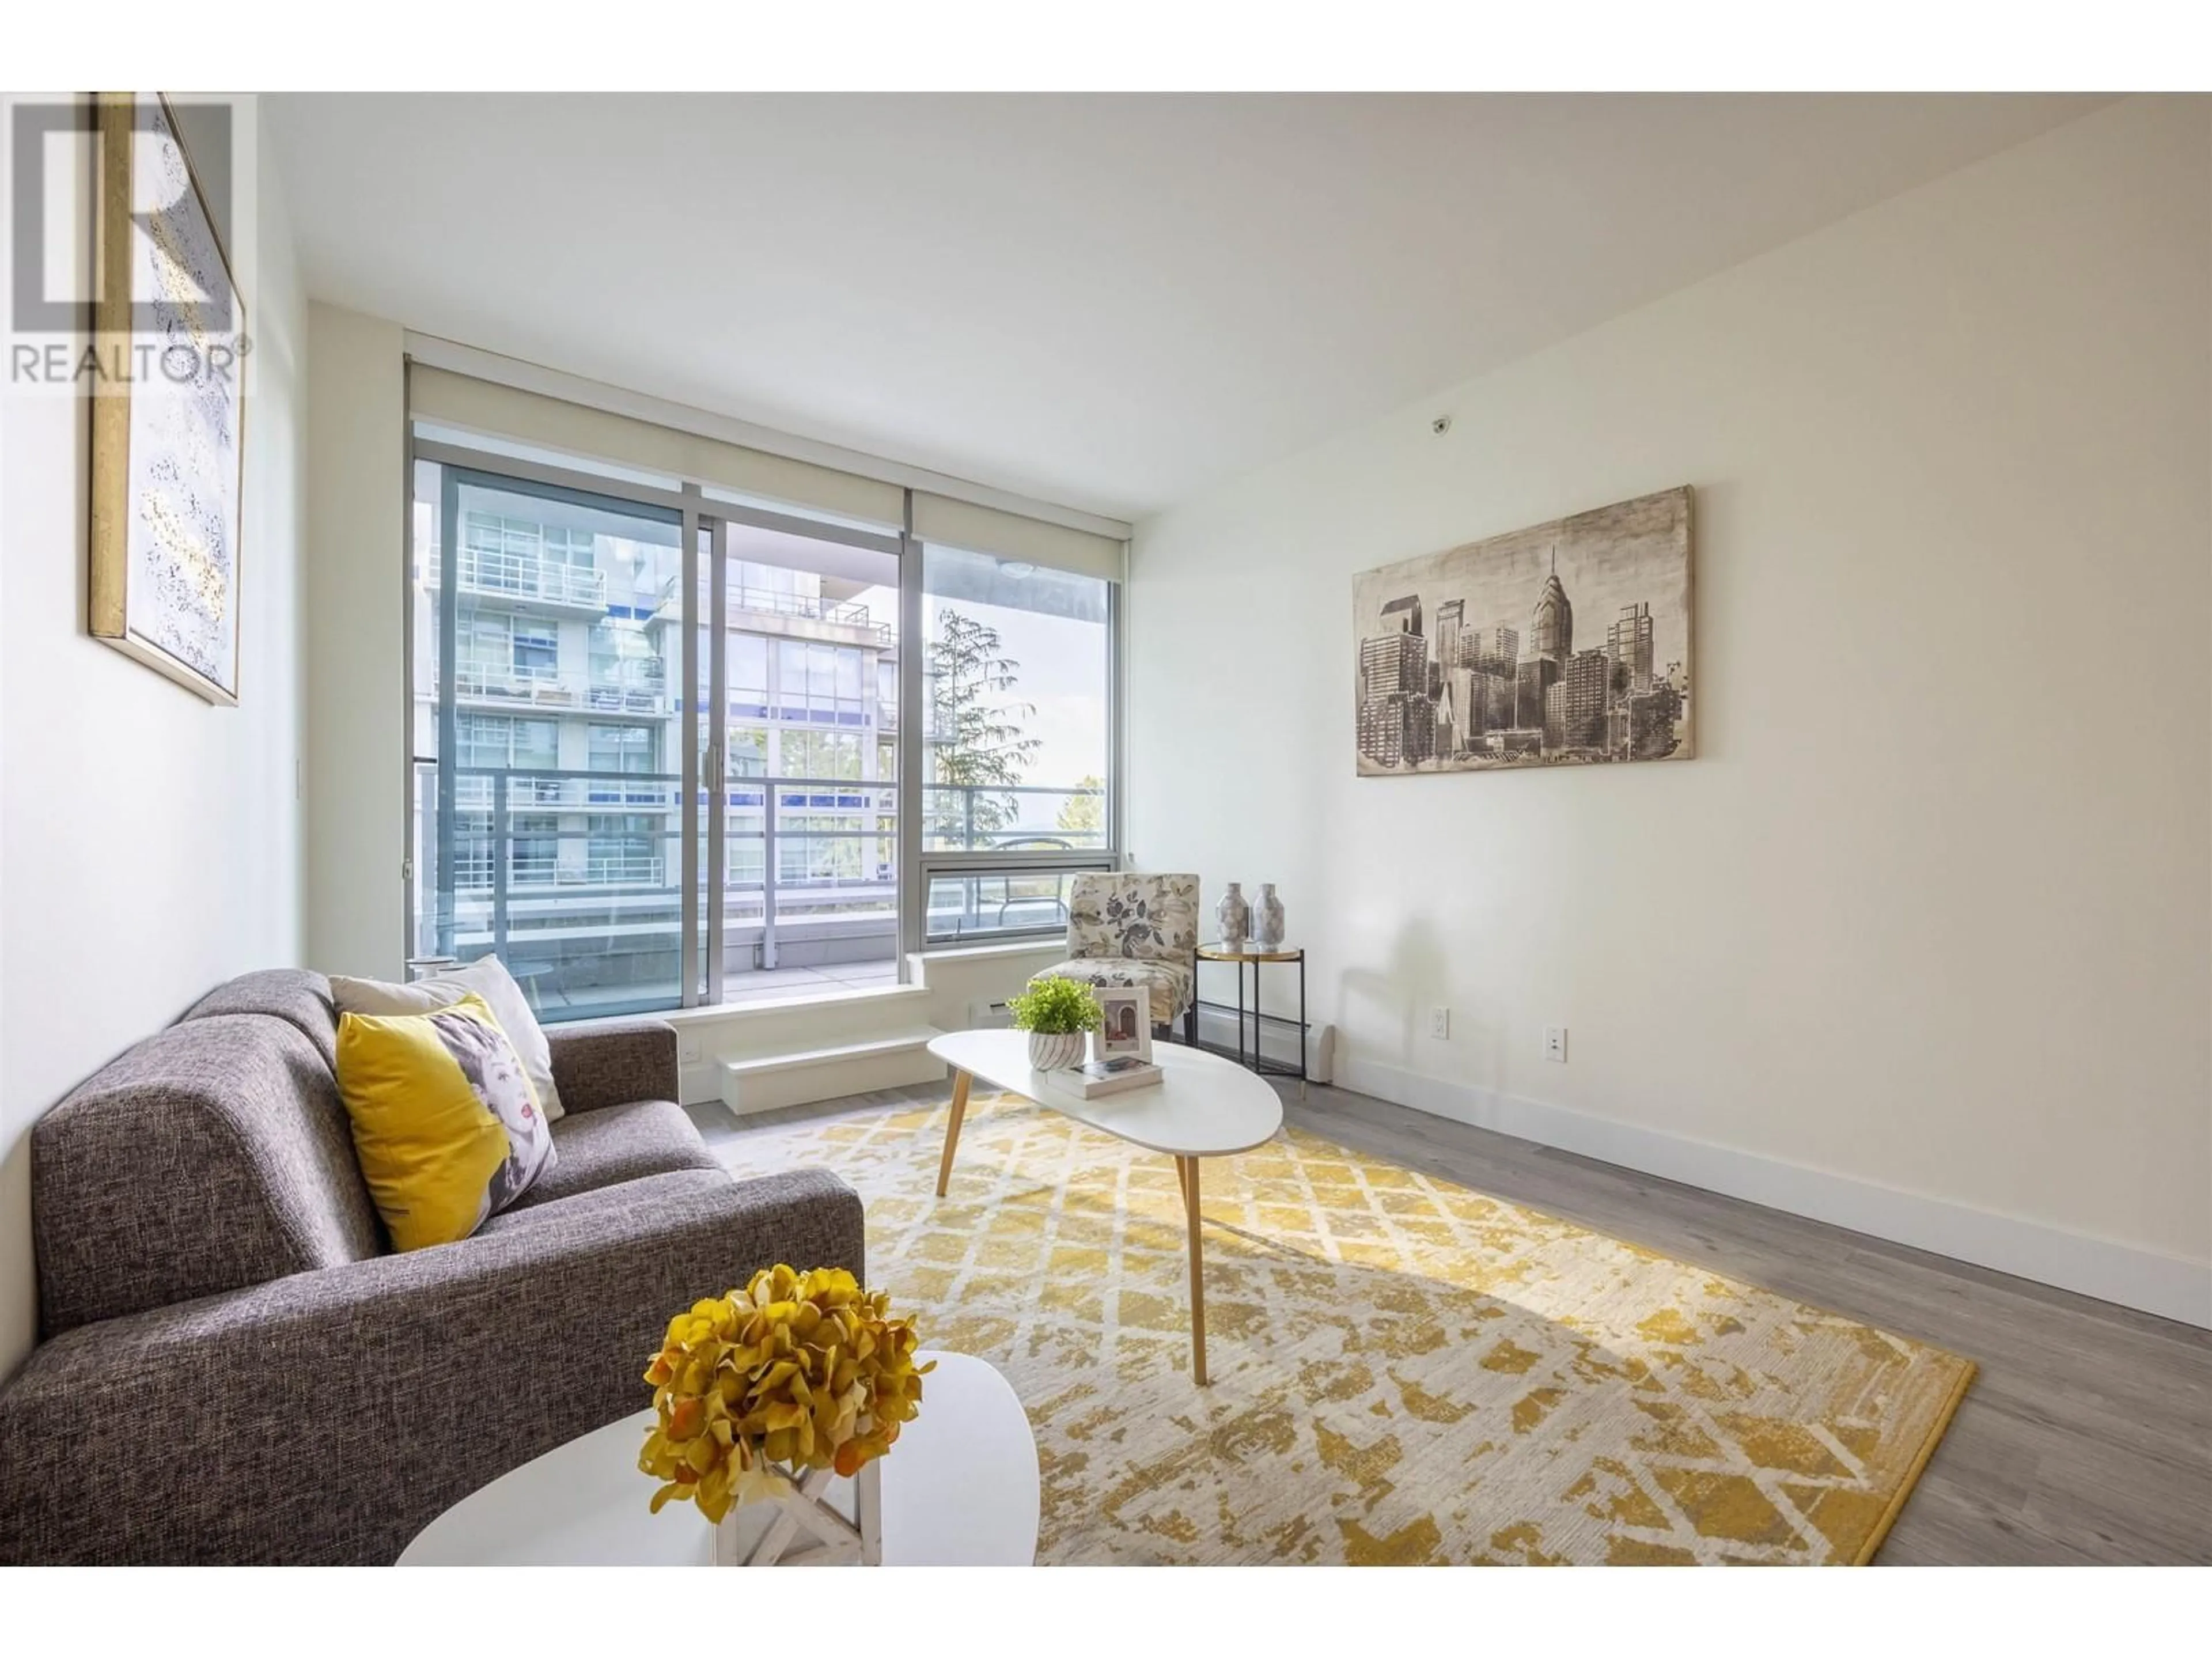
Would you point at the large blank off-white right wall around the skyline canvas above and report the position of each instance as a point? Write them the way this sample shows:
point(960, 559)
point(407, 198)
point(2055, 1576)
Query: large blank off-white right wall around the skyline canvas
point(1921, 939)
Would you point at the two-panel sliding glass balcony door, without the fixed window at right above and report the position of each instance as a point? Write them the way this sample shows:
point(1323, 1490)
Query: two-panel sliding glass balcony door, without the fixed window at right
point(656, 740)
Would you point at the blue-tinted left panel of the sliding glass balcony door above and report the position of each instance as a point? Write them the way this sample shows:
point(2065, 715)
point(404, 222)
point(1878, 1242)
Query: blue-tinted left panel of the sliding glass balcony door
point(547, 762)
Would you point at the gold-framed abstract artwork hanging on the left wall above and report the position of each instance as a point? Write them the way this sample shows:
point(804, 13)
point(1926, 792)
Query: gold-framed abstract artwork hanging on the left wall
point(167, 410)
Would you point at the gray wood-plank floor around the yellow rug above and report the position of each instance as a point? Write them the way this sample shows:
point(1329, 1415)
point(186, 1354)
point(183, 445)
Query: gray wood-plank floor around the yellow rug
point(2087, 1437)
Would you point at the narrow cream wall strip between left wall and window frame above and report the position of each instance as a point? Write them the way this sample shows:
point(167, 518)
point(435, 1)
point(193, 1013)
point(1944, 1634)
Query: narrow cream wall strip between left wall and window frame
point(357, 603)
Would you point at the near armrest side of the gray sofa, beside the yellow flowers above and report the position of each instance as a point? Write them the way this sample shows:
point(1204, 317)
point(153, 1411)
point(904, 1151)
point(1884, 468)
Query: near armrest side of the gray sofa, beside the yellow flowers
point(331, 1417)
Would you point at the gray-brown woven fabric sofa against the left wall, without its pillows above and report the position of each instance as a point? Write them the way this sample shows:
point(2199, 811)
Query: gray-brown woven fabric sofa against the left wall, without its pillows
point(238, 1368)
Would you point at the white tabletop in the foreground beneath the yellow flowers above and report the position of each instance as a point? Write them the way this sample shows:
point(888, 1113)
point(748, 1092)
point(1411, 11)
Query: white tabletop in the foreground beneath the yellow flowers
point(959, 1490)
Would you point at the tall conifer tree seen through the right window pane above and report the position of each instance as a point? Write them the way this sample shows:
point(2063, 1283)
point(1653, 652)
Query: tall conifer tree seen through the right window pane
point(977, 738)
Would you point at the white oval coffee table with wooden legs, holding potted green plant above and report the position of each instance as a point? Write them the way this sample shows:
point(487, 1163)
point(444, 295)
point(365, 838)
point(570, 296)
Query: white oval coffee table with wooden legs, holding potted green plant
point(1202, 1107)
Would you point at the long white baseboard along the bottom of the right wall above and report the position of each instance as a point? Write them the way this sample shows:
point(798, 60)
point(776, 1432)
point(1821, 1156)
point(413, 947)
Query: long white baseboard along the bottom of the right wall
point(2116, 1273)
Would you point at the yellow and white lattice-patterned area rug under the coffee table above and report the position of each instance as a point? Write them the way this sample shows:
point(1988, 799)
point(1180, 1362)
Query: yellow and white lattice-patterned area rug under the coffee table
point(1401, 1370)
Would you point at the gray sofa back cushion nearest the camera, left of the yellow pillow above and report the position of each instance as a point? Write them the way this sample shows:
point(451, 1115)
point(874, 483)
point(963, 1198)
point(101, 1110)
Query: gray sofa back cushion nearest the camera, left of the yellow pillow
point(209, 1158)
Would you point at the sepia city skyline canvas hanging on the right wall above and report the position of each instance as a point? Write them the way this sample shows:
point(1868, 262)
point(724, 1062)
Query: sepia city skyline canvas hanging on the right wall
point(1561, 645)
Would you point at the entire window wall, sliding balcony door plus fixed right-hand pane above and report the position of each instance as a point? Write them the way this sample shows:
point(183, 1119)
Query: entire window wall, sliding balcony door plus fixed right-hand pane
point(660, 742)
